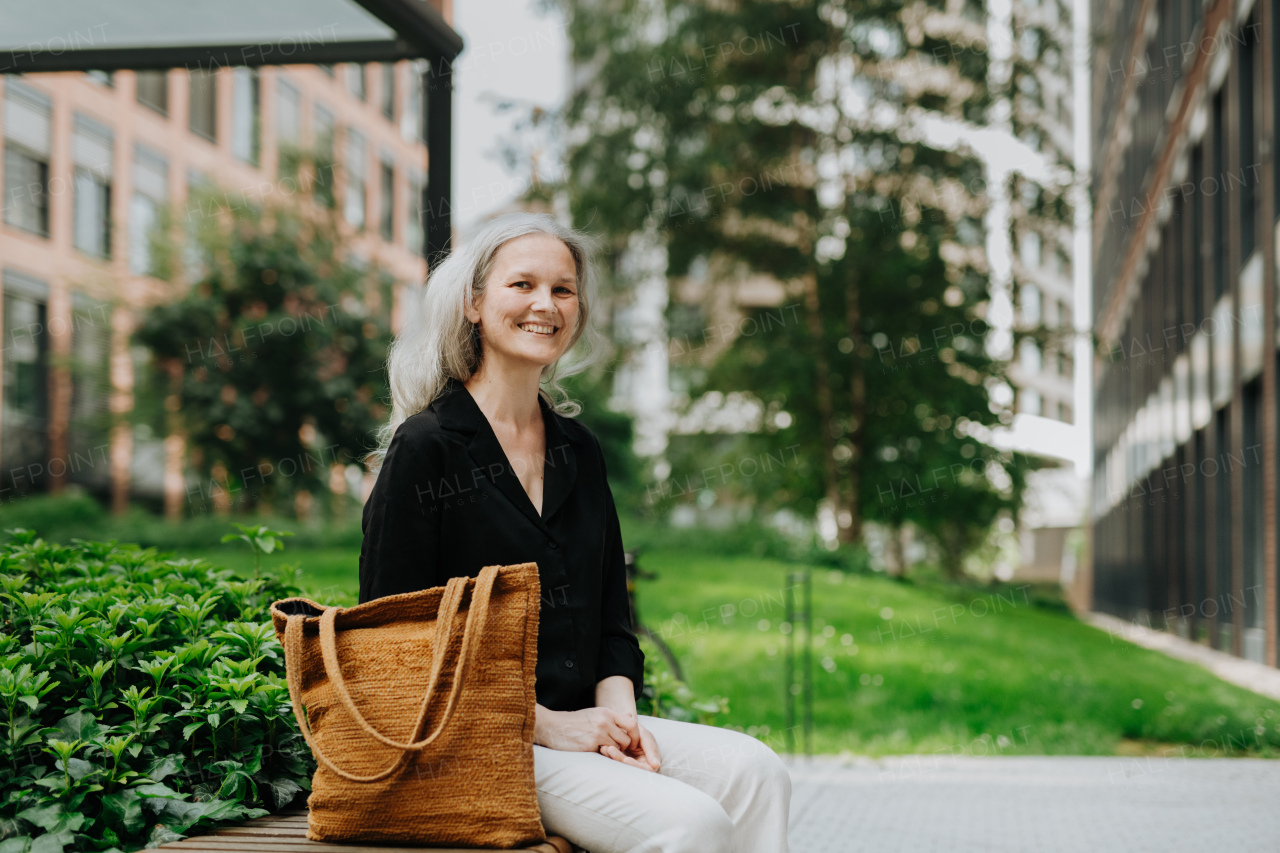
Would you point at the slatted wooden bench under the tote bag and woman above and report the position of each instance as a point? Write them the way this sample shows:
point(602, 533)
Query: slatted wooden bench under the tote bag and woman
point(287, 833)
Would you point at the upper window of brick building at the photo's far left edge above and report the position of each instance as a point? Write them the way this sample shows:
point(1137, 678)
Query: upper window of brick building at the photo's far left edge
point(28, 121)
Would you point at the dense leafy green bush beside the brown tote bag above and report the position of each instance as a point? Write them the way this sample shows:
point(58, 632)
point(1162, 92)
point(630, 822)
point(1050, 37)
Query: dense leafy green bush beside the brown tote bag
point(141, 699)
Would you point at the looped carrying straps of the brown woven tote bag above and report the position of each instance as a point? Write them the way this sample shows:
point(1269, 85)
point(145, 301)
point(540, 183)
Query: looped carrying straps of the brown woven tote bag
point(450, 606)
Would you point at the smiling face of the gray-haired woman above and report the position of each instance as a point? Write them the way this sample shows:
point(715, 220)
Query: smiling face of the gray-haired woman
point(529, 308)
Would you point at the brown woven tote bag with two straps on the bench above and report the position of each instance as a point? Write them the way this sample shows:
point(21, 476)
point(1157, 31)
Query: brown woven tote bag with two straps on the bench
point(419, 710)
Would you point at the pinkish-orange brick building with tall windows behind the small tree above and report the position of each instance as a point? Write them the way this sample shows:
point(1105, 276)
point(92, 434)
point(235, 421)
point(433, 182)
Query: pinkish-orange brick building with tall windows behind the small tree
point(90, 162)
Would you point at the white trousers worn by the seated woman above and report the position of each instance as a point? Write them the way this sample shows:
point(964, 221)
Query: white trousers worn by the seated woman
point(719, 791)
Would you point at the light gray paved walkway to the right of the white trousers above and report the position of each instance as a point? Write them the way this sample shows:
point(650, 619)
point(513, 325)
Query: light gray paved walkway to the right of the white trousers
point(1034, 805)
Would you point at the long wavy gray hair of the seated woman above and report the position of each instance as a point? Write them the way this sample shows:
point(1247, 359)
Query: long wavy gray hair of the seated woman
point(438, 343)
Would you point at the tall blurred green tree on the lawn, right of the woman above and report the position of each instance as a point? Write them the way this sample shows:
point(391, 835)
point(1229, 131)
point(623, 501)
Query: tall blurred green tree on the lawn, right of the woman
point(794, 140)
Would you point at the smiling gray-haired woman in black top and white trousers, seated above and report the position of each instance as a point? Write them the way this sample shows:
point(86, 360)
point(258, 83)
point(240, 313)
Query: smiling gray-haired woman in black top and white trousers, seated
point(481, 468)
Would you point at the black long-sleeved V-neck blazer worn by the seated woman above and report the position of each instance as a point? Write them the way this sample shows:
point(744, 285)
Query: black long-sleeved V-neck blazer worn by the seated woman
point(447, 503)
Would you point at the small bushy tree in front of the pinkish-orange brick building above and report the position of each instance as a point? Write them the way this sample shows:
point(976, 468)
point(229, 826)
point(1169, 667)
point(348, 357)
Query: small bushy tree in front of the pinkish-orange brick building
point(277, 350)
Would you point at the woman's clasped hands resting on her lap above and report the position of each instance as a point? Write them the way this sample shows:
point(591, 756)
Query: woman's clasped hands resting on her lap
point(615, 735)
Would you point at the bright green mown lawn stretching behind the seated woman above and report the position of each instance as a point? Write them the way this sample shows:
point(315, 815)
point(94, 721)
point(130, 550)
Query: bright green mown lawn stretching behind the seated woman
point(909, 669)
